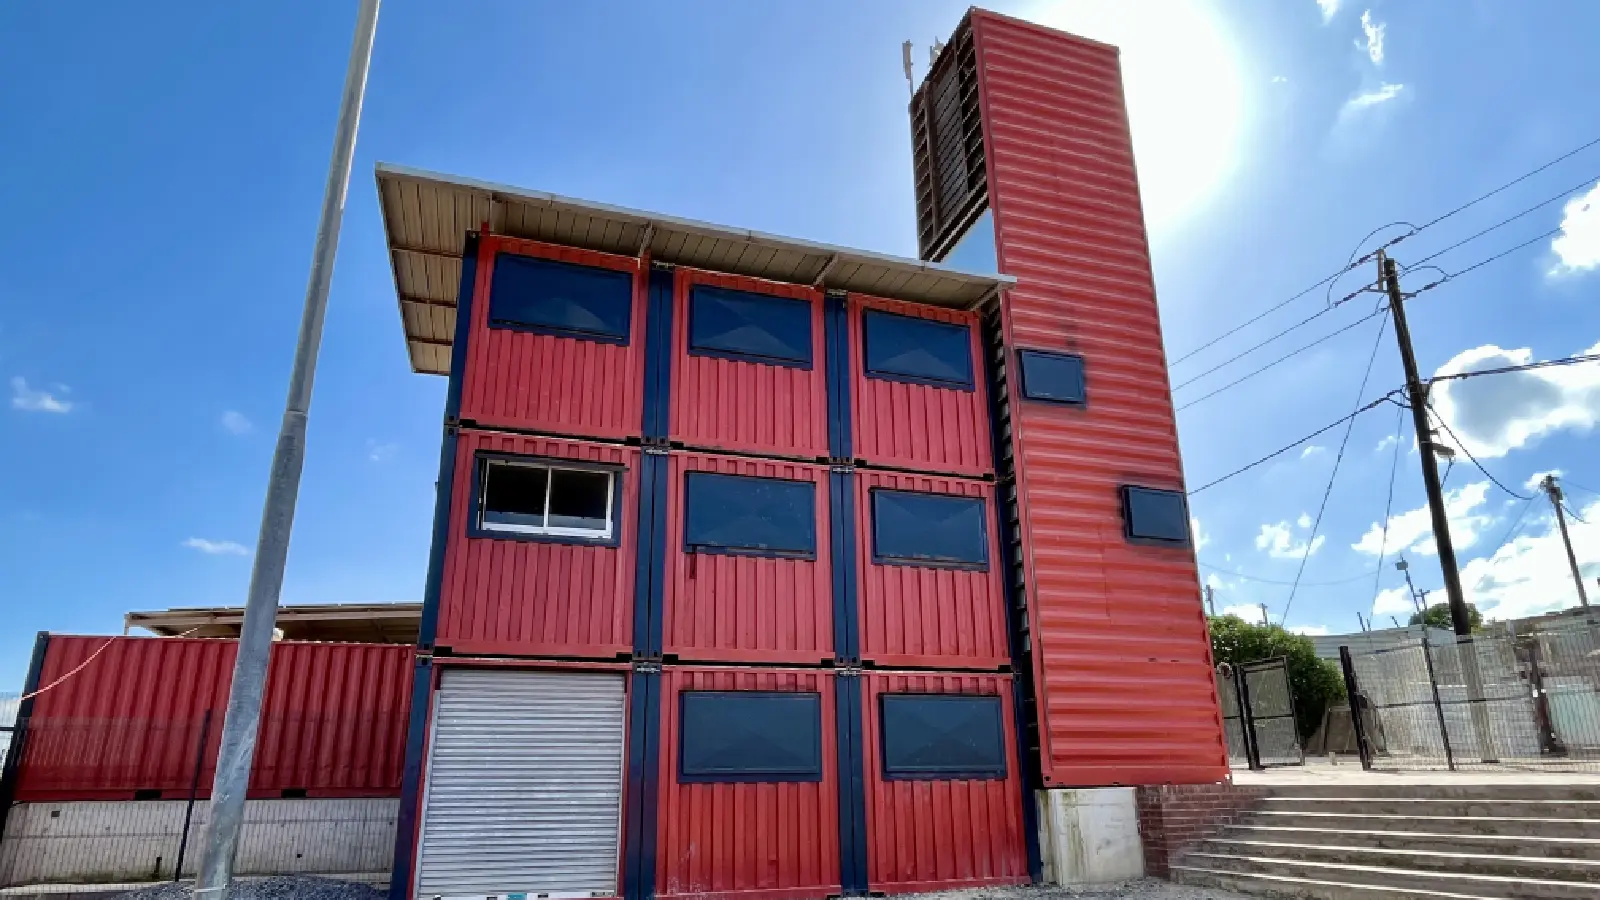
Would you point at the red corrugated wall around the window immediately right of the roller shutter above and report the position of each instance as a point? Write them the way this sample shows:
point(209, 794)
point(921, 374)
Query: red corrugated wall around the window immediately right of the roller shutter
point(777, 842)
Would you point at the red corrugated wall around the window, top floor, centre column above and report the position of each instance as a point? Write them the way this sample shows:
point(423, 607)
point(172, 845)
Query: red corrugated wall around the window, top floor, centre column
point(743, 406)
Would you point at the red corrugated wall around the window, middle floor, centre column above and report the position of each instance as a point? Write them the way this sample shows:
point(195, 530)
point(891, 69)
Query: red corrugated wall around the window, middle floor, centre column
point(726, 608)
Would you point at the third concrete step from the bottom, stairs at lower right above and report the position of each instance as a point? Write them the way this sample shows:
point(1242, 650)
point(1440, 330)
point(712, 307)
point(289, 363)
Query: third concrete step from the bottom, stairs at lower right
point(1441, 843)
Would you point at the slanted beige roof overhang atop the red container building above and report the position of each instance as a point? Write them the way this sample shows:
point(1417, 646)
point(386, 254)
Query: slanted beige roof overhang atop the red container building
point(428, 215)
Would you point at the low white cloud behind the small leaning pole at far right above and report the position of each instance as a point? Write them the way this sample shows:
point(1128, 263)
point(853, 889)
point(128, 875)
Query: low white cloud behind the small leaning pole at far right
point(1530, 574)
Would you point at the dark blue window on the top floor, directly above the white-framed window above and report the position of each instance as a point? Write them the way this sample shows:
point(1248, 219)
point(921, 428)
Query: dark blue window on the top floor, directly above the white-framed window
point(561, 299)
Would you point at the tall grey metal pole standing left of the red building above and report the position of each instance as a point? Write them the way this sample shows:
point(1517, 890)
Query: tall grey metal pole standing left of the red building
point(242, 720)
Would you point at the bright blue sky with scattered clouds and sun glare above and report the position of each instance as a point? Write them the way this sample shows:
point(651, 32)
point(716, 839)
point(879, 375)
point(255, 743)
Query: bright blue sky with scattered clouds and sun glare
point(164, 169)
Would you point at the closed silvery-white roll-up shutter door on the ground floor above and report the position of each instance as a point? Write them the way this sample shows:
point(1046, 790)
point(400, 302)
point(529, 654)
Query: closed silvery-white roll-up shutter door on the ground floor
point(524, 785)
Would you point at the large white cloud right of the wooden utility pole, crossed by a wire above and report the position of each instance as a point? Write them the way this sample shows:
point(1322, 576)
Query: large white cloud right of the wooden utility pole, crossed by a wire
point(1498, 414)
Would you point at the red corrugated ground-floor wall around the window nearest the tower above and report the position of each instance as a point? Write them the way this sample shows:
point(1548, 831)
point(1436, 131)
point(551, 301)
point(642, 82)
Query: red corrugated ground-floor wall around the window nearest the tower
point(942, 835)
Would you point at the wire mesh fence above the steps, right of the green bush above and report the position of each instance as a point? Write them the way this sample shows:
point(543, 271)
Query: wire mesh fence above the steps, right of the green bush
point(1500, 701)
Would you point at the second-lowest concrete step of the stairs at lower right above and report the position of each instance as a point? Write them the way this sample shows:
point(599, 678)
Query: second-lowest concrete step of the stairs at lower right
point(1508, 866)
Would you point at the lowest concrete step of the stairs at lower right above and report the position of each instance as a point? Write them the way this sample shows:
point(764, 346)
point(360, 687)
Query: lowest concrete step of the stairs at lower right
point(1466, 885)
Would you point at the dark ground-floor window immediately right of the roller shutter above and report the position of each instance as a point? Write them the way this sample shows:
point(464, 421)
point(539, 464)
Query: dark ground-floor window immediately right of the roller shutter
point(750, 736)
